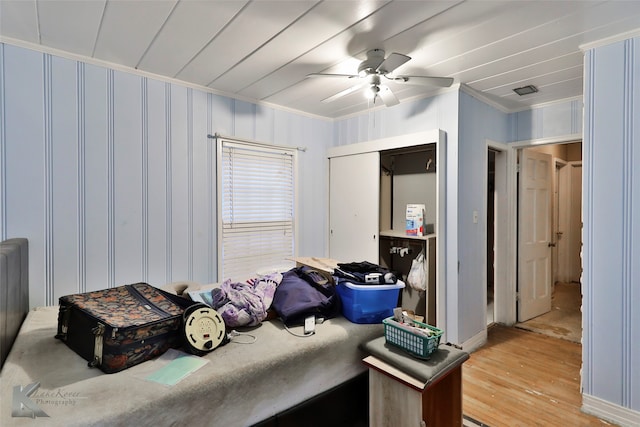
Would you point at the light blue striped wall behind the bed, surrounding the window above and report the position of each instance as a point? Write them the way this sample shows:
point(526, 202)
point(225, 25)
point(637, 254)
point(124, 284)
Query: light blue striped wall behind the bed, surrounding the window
point(111, 176)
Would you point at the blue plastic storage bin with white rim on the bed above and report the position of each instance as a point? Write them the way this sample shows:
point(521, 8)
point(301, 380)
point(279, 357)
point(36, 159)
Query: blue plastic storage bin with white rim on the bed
point(368, 303)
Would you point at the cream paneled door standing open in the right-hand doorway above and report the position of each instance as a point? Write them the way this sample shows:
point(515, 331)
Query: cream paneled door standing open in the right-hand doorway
point(534, 235)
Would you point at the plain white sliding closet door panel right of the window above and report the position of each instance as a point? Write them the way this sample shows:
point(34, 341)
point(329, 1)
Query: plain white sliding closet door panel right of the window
point(354, 194)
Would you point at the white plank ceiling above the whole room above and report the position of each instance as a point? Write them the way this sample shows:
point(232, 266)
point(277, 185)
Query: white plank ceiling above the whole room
point(262, 50)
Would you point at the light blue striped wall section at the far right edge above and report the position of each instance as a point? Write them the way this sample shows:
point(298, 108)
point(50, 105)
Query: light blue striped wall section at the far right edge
point(611, 214)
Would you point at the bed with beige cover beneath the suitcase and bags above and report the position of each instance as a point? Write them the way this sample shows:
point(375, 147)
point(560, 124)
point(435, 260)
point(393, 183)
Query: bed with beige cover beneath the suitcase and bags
point(240, 385)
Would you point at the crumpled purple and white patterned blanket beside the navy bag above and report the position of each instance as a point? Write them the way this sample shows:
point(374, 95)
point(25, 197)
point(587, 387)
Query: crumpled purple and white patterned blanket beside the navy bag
point(245, 304)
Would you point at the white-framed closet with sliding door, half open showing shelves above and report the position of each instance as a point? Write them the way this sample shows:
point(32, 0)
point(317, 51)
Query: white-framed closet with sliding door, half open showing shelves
point(370, 185)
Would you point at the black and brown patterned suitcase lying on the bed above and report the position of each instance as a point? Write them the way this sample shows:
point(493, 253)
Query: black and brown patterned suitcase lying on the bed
point(120, 327)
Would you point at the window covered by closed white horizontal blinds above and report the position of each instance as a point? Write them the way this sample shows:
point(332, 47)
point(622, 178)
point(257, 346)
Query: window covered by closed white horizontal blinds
point(256, 215)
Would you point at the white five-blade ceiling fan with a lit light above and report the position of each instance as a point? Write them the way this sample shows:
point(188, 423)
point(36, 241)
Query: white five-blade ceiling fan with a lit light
point(373, 69)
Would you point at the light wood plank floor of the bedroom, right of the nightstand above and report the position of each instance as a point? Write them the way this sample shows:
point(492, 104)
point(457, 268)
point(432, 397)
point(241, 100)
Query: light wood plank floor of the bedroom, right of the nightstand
point(523, 378)
